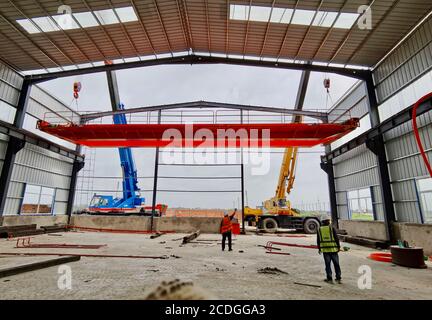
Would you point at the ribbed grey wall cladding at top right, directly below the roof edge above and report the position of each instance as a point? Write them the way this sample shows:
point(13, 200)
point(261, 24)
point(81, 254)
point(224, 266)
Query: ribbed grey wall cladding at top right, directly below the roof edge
point(407, 63)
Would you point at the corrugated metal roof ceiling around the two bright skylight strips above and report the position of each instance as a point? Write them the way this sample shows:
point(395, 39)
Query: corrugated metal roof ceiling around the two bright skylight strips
point(170, 26)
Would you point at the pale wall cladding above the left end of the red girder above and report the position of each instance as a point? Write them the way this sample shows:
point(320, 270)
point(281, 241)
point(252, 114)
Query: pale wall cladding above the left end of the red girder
point(44, 106)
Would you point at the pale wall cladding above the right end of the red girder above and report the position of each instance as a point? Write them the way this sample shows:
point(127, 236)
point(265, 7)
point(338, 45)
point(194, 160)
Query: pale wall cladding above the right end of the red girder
point(352, 105)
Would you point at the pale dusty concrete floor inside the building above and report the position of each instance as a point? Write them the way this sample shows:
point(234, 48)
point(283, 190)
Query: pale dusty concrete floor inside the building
point(227, 275)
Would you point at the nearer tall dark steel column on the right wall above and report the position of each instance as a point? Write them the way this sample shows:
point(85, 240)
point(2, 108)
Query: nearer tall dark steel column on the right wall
point(377, 146)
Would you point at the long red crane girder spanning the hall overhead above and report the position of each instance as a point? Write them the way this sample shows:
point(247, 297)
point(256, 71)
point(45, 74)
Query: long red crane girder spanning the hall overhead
point(253, 135)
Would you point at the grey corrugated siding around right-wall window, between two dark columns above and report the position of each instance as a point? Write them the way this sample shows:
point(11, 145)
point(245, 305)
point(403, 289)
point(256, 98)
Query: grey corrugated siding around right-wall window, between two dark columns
point(356, 169)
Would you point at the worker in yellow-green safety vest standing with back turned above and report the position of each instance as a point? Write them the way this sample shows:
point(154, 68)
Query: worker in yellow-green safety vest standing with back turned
point(328, 244)
